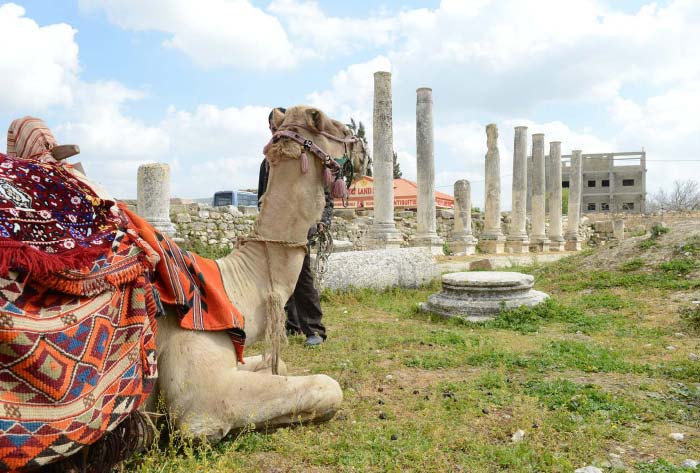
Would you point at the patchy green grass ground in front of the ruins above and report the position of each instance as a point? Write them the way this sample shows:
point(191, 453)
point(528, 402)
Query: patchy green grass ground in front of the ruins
point(585, 374)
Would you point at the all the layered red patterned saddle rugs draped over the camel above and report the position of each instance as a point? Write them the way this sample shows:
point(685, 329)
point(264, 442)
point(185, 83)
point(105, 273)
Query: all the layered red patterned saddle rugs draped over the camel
point(81, 282)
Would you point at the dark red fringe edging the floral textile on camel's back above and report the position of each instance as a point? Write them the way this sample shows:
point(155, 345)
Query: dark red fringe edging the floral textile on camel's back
point(18, 255)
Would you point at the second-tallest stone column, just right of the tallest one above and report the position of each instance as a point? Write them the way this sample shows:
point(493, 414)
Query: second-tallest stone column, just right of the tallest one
point(426, 234)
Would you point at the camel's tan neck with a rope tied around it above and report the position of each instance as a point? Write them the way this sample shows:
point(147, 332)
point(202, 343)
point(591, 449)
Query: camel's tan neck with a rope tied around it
point(248, 271)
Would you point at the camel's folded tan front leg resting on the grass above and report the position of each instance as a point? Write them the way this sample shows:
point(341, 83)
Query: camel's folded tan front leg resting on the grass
point(207, 396)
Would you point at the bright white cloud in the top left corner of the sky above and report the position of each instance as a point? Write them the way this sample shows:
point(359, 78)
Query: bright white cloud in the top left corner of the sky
point(38, 64)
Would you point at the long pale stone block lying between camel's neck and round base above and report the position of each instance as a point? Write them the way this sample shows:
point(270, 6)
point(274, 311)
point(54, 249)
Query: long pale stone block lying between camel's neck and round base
point(379, 269)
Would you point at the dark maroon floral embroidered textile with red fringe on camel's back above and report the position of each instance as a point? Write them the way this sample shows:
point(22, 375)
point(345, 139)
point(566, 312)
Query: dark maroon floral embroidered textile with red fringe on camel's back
point(49, 220)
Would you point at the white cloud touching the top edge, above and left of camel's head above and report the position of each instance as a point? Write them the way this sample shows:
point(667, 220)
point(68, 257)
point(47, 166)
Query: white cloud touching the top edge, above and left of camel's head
point(211, 33)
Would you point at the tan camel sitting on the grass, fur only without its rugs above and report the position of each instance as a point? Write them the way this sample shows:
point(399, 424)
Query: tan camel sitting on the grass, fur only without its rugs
point(206, 392)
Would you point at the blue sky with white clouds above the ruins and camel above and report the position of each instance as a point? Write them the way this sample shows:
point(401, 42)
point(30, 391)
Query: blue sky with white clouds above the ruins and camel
point(190, 82)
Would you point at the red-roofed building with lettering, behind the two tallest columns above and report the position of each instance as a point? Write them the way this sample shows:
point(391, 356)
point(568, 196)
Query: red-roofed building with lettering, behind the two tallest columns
point(405, 195)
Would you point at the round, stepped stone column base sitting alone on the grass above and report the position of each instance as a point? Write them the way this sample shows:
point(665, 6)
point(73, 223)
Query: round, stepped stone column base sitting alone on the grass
point(480, 296)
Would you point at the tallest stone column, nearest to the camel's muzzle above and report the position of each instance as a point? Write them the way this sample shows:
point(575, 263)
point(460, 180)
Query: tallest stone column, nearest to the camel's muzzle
point(383, 233)
